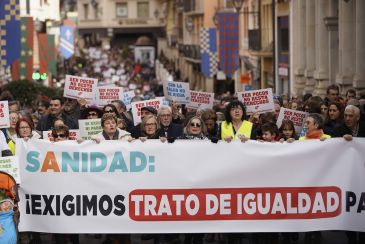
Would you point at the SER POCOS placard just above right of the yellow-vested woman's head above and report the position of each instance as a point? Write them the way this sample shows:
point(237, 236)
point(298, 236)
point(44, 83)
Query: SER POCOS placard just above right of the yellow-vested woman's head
point(257, 101)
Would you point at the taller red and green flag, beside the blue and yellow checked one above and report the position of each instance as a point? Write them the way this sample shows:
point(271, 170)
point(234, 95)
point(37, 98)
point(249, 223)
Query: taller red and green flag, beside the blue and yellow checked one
point(23, 67)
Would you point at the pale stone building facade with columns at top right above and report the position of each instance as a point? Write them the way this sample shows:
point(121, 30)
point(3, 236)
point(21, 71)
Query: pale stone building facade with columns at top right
point(328, 45)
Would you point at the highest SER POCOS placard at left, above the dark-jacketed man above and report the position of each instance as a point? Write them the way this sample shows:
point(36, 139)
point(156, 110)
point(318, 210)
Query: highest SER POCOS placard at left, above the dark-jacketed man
point(80, 87)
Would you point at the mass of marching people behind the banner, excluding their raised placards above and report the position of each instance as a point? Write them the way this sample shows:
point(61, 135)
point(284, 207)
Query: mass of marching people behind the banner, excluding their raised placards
point(331, 117)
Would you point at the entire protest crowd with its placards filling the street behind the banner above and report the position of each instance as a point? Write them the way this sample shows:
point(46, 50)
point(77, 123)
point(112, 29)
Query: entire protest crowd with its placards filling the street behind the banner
point(220, 117)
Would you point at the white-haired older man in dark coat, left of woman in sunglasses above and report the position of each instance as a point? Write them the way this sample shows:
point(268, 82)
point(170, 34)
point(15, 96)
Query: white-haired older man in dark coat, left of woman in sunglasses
point(168, 128)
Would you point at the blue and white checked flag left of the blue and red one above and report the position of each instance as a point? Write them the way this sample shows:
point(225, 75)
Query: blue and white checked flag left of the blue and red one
point(208, 51)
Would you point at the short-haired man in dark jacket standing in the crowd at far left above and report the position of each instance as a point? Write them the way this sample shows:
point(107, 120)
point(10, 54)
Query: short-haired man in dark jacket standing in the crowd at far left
point(56, 111)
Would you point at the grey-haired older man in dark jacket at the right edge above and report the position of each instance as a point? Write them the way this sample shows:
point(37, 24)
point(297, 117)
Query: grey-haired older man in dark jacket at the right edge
point(352, 125)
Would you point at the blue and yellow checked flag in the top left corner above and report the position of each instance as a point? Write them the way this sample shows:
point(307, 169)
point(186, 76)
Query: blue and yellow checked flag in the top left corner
point(9, 31)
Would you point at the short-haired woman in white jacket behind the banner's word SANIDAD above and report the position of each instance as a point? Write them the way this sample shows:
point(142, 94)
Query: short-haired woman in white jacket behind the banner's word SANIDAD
point(111, 131)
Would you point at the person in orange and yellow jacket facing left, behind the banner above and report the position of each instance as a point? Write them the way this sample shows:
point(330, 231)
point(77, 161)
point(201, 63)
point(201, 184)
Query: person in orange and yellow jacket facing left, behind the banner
point(314, 124)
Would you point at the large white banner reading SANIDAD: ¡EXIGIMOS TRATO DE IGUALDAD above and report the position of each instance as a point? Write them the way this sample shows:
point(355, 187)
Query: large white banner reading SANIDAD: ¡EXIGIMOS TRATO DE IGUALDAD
point(191, 186)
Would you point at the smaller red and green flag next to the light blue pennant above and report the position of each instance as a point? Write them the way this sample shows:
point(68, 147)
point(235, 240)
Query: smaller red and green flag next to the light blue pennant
point(47, 54)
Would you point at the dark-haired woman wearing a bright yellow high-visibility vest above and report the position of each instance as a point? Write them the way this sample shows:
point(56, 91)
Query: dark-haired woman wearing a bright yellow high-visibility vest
point(235, 126)
